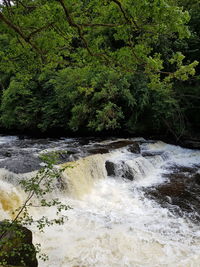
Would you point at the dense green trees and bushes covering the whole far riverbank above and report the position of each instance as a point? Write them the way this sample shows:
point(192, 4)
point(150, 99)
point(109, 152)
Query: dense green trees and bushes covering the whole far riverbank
point(100, 65)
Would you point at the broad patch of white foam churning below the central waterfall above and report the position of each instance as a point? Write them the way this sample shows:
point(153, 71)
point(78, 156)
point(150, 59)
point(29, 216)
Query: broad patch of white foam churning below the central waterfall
point(115, 226)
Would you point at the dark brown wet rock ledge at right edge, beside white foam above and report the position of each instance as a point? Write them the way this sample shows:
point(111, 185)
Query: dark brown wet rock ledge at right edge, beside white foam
point(181, 191)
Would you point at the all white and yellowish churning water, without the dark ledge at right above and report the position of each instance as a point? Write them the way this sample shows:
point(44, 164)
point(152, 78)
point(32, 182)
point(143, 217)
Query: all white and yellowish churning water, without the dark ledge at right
point(112, 223)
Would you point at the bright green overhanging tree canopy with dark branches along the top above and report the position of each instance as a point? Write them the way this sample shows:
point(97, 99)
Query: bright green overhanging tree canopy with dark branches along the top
point(117, 33)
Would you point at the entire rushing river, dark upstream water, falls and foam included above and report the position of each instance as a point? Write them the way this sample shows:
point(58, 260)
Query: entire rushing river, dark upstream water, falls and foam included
point(134, 202)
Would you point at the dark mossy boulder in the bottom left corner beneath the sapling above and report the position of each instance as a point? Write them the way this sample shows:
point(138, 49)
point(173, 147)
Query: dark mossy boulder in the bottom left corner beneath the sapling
point(16, 246)
